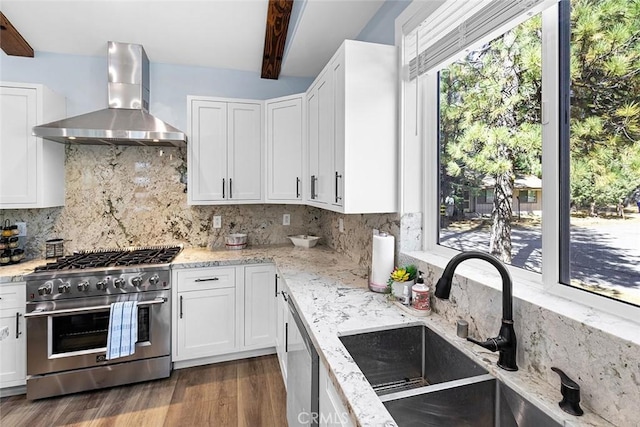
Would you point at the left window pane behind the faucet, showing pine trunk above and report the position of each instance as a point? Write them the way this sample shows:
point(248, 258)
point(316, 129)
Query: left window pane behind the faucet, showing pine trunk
point(490, 134)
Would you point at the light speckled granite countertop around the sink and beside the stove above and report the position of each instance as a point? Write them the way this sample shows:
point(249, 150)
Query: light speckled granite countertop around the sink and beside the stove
point(331, 294)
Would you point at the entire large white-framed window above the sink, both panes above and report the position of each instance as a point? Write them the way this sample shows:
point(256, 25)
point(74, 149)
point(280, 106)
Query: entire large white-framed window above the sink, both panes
point(493, 97)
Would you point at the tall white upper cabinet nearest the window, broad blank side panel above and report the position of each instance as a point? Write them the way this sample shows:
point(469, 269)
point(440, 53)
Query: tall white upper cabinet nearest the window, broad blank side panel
point(352, 131)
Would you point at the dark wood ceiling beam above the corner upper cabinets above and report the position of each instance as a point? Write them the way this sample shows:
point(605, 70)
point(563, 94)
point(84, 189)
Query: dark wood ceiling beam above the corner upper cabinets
point(275, 38)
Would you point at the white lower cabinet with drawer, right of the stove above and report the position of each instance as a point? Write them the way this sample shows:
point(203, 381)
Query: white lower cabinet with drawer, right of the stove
point(223, 313)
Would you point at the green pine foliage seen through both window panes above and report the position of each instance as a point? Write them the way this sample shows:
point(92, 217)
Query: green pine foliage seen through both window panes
point(490, 106)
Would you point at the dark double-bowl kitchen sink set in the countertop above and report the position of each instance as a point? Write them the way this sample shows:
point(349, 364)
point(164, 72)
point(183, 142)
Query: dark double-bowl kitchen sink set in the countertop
point(424, 380)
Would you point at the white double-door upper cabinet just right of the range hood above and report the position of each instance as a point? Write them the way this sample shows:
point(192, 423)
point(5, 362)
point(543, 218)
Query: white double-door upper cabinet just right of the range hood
point(225, 151)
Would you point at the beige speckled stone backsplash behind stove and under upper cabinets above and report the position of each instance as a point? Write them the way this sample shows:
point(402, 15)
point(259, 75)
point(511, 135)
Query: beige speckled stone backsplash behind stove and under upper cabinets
point(134, 196)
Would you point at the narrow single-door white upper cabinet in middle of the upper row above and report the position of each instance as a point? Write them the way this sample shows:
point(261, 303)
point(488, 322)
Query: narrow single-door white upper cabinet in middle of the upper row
point(285, 142)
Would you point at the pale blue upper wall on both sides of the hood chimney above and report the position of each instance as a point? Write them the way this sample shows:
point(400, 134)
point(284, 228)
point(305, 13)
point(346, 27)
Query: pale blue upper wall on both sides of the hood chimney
point(83, 81)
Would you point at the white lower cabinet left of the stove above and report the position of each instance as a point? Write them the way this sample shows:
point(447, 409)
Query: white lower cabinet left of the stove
point(13, 340)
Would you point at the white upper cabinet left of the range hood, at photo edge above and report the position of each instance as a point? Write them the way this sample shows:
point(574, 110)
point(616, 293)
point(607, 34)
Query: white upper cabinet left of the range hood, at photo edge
point(31, 168)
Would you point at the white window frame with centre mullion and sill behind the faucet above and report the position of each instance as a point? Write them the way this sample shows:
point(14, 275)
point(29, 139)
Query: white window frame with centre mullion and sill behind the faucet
point(548, 281)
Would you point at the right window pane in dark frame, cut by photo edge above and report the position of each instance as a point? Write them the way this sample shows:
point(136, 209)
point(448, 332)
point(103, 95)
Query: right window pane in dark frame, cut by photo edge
point(604, 149)
